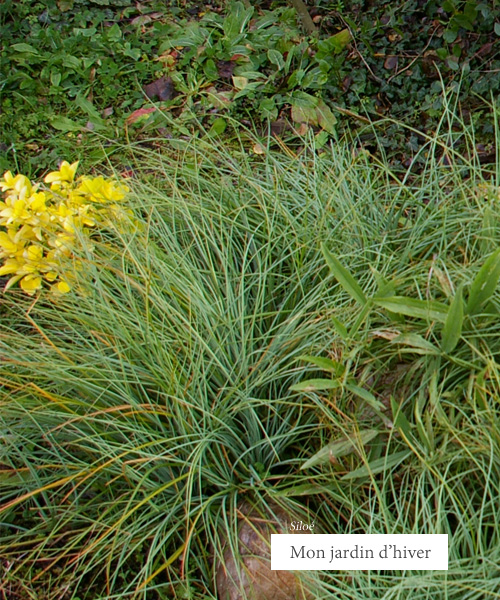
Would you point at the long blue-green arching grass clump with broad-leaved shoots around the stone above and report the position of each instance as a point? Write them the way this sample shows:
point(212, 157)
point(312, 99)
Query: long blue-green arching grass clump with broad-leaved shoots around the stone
point(279, 333)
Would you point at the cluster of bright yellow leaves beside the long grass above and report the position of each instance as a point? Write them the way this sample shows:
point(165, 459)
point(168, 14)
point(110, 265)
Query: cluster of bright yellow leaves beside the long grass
point(39, 225)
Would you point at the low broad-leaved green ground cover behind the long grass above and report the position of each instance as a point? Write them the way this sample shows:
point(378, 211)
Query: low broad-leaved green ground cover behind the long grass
point(71, 69)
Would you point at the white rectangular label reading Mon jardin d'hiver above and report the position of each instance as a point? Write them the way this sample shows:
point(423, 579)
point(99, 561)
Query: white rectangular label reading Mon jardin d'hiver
point(359, 552)
